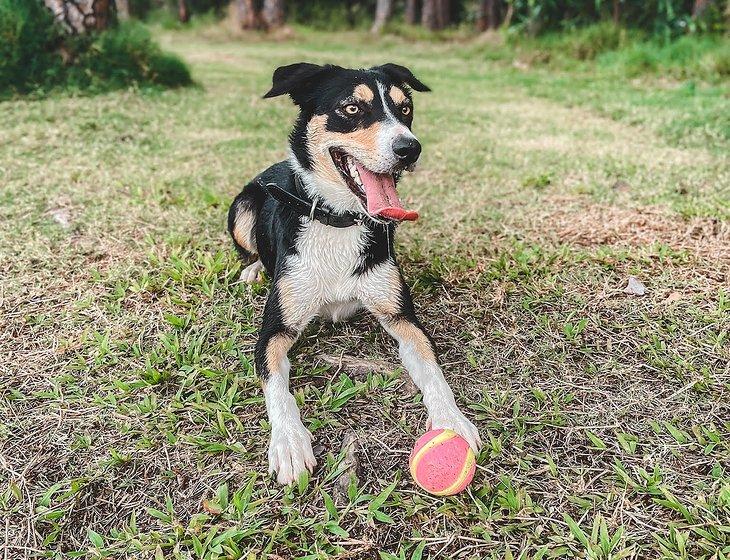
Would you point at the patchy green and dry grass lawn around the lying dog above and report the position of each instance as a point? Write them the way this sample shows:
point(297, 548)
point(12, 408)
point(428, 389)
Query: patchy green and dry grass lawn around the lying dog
point(132, 424)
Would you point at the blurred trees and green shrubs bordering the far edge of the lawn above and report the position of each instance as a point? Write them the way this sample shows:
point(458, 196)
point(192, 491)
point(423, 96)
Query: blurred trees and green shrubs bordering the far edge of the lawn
point(99, 44)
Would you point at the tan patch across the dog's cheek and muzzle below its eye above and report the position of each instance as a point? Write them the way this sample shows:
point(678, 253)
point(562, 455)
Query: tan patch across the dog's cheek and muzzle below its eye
point(361, 143)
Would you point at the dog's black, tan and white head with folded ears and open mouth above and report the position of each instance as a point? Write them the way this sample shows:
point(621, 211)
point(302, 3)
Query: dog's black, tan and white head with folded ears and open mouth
point(353, 137)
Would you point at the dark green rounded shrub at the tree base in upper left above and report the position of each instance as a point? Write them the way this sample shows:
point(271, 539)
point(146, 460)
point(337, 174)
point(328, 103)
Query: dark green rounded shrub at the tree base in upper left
point(30, 55)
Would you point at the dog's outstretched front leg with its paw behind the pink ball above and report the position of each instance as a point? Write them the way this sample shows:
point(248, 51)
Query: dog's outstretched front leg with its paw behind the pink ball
point(393, 307)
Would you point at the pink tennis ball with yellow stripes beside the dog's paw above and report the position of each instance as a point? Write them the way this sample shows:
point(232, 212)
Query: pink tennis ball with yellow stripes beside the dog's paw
point(442, 463)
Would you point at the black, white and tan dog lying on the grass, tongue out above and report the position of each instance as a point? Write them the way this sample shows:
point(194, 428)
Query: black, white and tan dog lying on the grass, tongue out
point(322, 224)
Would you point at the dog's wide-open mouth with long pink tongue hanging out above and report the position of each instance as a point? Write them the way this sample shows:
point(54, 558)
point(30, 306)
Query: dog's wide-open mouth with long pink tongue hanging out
point(376, 191)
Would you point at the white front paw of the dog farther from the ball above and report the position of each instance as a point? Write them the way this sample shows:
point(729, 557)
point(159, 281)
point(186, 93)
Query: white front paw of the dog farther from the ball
point(290, 453)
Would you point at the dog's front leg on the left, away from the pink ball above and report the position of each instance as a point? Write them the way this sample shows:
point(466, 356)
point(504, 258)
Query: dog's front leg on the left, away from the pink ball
point(290, 448)
